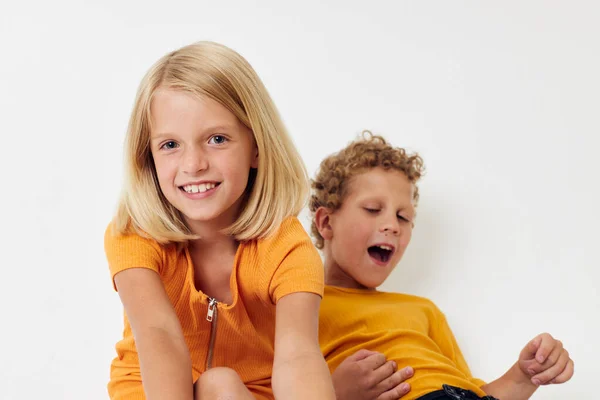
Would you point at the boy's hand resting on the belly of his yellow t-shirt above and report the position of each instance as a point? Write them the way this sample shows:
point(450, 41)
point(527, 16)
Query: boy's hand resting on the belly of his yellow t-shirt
point(366, 375)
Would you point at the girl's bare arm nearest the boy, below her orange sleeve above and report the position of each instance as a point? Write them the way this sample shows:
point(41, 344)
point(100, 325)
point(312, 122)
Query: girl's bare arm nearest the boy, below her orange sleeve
point(299, 369)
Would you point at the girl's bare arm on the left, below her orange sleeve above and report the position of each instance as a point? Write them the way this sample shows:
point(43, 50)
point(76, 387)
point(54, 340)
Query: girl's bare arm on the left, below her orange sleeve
point(164, 357)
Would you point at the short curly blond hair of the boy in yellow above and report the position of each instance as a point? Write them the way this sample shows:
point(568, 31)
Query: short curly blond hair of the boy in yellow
point(330, 185)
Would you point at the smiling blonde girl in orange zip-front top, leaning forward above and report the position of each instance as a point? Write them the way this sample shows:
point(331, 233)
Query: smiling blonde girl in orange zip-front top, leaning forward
point(220, 284)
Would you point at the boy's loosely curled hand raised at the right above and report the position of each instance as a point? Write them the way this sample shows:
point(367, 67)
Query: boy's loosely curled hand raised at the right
point(544, 361)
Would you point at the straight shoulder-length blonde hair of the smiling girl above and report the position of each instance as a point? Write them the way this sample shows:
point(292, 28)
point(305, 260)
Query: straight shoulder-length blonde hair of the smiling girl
point(280, 185)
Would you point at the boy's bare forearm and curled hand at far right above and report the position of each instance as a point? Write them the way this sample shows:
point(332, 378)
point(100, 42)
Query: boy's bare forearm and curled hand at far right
point(543, 361)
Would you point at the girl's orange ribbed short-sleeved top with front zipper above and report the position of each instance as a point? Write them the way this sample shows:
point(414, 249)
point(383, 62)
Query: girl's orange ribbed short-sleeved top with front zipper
point(264, 271)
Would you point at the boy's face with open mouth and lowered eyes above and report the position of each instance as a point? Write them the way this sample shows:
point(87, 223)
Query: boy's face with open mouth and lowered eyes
point(366, 237)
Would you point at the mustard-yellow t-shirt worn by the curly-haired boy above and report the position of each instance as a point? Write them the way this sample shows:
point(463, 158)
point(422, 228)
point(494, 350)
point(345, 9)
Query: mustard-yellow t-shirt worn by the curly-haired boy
point(408, 329)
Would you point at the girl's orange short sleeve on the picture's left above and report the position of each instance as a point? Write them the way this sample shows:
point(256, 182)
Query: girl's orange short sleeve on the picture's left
point(130, 251)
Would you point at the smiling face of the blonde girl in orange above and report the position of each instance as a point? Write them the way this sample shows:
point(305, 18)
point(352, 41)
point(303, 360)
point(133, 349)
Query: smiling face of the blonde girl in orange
point(202, 154)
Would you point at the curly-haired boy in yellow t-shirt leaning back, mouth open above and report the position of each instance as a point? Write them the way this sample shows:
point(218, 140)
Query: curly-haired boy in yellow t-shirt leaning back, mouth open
point(363, 208)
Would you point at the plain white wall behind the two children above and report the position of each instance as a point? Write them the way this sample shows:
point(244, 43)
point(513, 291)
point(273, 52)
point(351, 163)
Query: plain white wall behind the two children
point(501, 99)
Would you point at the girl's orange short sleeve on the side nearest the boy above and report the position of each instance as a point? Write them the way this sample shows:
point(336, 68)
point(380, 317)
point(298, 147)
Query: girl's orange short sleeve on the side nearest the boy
point(298, 264)
